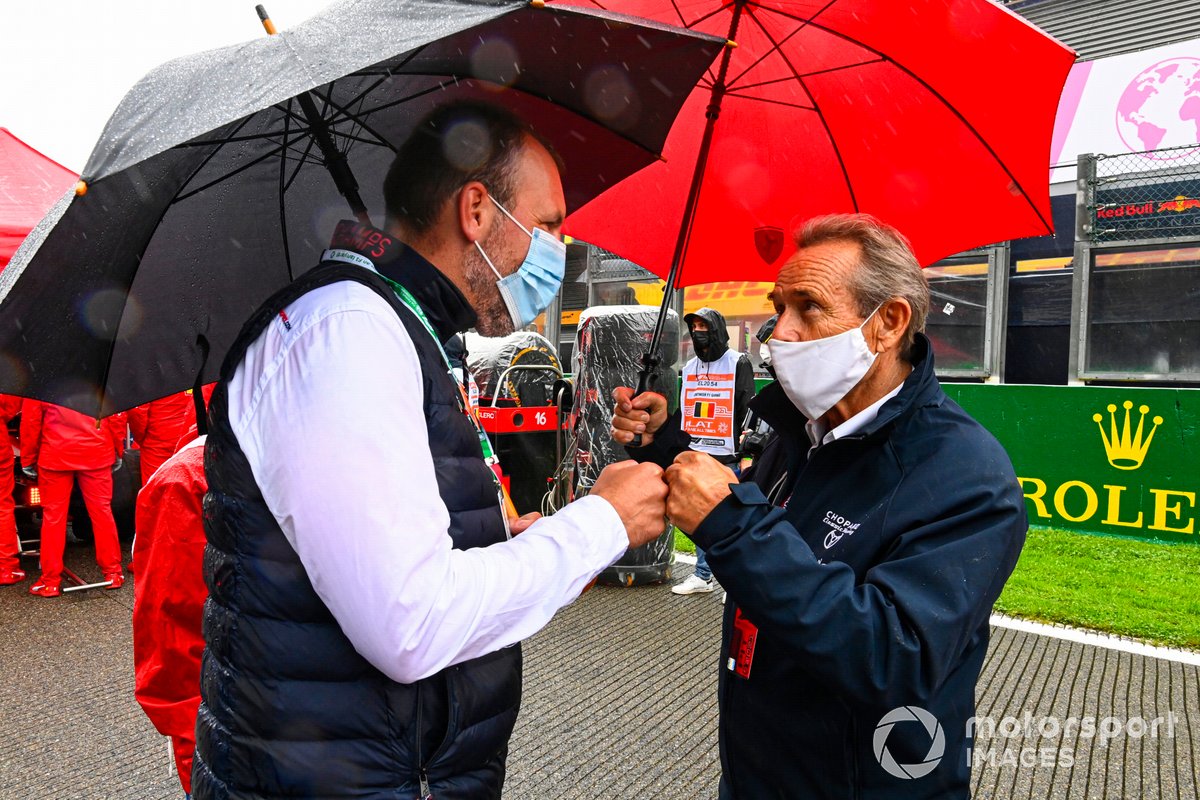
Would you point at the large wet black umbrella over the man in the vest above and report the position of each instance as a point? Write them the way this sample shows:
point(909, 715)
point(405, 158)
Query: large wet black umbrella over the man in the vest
point(208, 189)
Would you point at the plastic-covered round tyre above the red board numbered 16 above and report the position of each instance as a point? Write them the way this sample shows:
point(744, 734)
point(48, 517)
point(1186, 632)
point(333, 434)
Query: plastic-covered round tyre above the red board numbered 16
point(515, 370)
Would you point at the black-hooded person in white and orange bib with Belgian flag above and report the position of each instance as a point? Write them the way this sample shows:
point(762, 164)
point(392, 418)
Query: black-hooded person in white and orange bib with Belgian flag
point(718, 387)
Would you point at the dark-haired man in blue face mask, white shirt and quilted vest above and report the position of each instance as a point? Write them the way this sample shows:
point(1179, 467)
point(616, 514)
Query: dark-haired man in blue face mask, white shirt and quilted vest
point(367, 598)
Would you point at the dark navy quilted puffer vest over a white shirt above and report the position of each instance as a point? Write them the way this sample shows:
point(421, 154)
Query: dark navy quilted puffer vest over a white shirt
point(290, 708)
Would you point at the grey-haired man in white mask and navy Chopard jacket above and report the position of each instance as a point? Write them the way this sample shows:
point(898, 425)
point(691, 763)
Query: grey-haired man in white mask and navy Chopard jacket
point(862, 552)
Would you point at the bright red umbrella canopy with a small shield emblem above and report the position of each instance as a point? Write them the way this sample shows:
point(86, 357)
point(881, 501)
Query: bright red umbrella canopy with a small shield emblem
point(934, 116)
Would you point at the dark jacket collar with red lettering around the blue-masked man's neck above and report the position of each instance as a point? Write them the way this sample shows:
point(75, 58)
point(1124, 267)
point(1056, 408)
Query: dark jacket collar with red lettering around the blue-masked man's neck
point(441, 300)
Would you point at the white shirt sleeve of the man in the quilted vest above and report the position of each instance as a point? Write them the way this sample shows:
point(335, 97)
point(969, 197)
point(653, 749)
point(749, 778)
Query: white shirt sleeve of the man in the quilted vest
point(328, 410)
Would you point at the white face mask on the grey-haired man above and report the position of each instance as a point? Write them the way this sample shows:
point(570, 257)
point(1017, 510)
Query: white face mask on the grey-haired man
point(817, 375)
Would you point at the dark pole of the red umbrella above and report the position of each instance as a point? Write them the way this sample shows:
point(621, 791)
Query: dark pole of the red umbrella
point(651, 359)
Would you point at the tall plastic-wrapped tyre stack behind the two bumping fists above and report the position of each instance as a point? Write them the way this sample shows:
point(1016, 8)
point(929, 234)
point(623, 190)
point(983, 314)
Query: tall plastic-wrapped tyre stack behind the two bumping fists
point(609, 347)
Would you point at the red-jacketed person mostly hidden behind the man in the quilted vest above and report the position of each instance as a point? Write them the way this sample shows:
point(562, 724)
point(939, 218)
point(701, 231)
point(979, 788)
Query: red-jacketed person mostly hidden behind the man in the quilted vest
point(169, 600)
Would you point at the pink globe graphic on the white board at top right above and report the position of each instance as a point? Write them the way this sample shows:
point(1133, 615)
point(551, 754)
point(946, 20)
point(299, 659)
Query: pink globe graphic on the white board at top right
point(1161, 107)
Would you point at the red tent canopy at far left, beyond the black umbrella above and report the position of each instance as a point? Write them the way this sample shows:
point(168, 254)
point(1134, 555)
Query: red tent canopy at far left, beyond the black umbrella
point(29, 185)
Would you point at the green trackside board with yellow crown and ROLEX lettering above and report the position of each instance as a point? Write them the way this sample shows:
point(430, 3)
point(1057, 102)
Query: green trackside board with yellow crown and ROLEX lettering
point(1111, 461)
